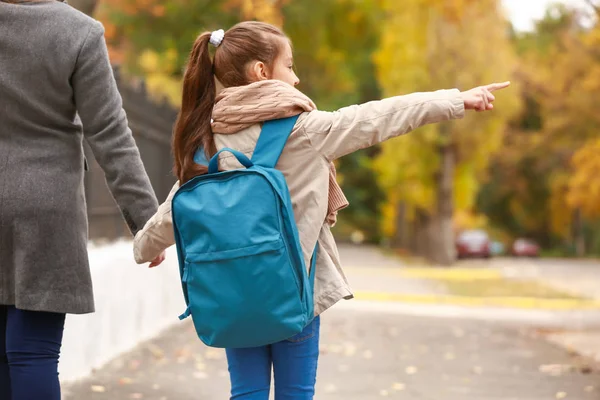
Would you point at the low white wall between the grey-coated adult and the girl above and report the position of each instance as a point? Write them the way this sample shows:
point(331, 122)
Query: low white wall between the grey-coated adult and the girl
point(133, 303)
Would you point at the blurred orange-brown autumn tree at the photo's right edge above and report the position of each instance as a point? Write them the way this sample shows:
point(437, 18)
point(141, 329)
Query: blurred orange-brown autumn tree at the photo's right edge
point(559, 70)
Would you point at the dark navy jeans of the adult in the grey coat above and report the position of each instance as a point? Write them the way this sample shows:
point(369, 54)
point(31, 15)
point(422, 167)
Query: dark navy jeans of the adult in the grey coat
point(30, 344)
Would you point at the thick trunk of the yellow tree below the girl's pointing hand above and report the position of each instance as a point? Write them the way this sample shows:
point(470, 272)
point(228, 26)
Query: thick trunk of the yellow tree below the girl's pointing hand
point(443, 251)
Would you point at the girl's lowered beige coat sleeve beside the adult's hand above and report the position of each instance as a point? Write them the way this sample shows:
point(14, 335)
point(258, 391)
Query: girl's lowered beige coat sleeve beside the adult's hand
point(157, 234)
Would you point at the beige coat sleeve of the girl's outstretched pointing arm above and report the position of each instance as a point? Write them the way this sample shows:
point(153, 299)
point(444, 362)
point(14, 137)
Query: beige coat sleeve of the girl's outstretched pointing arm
point(335, 134)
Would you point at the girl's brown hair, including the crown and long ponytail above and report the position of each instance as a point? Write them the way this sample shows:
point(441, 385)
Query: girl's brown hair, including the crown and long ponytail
point(244, 43)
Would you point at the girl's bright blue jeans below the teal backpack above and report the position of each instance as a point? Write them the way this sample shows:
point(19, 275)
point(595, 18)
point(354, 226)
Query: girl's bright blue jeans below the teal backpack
point(294, 364)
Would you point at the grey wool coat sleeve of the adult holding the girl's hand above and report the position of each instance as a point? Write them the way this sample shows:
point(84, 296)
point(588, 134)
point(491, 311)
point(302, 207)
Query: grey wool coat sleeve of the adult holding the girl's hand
point(106, 130)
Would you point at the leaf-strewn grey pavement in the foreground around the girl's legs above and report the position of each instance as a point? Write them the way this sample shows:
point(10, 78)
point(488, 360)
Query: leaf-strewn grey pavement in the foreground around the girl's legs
point(367, 356)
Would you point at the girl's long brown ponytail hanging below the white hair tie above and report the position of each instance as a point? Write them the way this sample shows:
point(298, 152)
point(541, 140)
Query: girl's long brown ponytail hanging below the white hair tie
point(192, 128)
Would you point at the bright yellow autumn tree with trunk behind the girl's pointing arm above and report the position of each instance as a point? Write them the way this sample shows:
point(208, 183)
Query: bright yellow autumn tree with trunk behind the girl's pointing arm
point(428, 45)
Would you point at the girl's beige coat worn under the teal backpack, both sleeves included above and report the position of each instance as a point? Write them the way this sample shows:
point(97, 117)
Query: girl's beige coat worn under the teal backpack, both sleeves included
point(317, 139)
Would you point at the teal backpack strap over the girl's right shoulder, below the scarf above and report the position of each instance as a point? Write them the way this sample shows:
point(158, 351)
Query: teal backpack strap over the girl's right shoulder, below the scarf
point(272, 140)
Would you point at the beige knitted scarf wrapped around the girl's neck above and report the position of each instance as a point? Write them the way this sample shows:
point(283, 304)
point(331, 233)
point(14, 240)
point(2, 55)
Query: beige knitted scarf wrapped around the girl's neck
point(237, 108)
